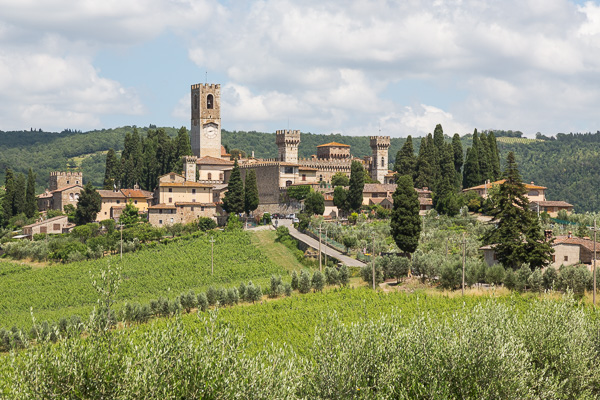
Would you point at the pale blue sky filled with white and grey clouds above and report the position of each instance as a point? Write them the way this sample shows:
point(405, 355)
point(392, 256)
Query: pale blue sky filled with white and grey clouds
point(356, 67)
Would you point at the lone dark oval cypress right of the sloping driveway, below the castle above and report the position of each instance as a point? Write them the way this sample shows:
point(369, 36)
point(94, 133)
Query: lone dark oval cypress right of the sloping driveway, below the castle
point(406, 221)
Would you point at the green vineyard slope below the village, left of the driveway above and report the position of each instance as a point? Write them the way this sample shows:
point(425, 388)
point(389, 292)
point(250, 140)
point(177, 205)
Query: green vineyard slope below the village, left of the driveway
point(167, 270)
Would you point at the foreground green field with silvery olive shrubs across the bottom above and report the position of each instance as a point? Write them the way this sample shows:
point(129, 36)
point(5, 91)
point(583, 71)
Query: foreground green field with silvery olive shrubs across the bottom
point(348, 343)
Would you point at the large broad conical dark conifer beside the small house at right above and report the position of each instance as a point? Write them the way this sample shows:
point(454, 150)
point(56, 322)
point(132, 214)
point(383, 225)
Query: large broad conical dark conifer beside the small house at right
point(517, 237)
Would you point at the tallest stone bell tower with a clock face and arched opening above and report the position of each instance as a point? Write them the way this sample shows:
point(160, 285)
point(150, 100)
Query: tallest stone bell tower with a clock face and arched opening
point(205, 135)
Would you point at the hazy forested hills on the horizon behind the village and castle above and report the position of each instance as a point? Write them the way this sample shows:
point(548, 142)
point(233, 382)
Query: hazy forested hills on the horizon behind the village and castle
point(568, 165)
